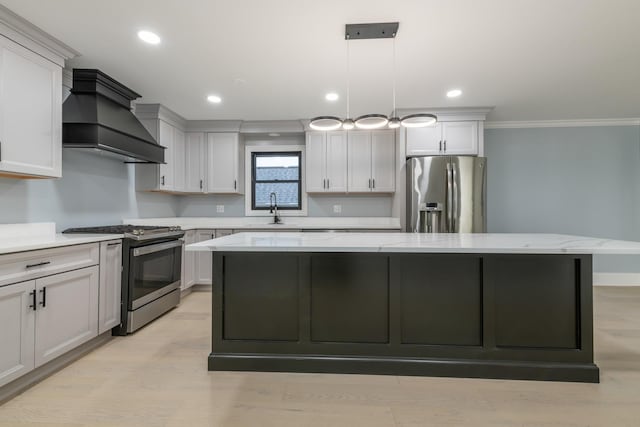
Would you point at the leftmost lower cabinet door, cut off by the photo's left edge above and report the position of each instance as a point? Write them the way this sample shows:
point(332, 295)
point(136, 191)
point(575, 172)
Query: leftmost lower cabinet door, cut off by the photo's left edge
point(17, 329)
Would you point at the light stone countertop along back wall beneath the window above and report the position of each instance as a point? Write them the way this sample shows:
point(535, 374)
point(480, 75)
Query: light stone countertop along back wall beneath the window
point(263, 223)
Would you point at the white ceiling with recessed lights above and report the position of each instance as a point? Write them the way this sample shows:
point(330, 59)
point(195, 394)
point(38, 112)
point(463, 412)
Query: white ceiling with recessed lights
point(275, 59)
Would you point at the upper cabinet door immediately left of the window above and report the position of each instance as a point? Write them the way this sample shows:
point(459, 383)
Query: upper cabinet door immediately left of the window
point(222, 163)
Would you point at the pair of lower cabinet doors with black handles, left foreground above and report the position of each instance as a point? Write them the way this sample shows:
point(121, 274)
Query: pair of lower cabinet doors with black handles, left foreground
point(44, 318)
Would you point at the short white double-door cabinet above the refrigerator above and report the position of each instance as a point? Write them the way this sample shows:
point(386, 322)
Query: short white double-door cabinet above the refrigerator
point(444, 138)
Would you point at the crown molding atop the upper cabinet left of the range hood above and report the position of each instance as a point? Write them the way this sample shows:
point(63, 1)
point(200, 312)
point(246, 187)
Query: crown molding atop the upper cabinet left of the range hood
point(33, 38)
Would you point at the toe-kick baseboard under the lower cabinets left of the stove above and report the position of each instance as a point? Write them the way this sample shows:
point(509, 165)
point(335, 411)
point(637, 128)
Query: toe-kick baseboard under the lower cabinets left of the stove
point(19, 385)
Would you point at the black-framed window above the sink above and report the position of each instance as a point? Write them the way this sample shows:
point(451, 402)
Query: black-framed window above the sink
point(279, 173)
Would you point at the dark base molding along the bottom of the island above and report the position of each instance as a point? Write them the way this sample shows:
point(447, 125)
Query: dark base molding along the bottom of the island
point(587, 373)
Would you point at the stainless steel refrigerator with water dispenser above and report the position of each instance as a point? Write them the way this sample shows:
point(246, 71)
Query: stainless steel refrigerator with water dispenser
point(446, 194)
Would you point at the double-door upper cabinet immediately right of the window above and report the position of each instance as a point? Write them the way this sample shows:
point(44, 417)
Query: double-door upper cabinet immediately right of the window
point(326, 162)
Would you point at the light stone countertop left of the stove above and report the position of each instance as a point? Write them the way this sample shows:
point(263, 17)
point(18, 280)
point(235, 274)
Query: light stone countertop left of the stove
point(34, 236)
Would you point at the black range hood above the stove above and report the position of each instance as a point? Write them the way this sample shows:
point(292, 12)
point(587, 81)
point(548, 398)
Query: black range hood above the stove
point(97, 115)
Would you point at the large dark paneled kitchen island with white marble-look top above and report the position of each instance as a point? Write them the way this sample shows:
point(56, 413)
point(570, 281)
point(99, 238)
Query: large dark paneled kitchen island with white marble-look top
point(514, 306)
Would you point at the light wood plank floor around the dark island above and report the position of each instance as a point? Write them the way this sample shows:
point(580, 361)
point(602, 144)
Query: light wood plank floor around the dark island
point(158, 377)
